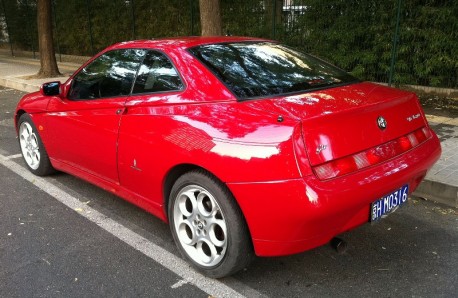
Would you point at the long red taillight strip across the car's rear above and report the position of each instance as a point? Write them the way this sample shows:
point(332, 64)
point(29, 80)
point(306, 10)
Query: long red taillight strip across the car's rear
point(373, 156)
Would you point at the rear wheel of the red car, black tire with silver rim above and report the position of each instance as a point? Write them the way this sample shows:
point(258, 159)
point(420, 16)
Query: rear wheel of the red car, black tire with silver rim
point(238, 251)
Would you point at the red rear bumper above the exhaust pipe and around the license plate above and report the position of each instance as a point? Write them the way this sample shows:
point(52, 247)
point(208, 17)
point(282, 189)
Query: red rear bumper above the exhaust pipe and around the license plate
point(291, 216)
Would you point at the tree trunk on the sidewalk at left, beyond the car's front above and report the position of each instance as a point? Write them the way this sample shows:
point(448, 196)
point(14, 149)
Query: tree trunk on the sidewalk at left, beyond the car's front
point(48, 62)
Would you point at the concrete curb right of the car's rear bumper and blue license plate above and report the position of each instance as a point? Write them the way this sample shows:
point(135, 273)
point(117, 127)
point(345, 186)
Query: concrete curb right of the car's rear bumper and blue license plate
point(438, 192)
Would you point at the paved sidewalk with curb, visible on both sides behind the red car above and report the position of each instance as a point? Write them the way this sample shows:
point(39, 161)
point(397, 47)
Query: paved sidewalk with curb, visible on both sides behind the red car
point(440, 184)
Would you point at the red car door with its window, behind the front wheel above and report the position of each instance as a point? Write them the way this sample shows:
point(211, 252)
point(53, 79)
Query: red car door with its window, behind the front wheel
point(84, 124)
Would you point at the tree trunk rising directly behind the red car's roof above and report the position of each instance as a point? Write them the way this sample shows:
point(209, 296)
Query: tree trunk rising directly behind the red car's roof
point(210, 17)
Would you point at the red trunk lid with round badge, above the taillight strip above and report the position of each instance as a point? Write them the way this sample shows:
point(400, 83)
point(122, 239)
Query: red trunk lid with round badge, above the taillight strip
point(341, 121)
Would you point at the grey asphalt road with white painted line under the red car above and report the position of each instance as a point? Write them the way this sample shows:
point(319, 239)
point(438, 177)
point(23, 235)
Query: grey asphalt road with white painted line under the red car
point(62, 237)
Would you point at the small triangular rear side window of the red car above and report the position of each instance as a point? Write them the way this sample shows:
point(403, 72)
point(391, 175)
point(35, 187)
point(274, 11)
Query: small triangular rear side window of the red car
point(157, 74)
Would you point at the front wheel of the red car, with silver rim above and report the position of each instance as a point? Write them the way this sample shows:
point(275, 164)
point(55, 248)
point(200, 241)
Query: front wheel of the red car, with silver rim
point(40, 166)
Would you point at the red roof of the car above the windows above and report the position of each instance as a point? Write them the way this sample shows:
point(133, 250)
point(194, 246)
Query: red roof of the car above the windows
point(181, 42)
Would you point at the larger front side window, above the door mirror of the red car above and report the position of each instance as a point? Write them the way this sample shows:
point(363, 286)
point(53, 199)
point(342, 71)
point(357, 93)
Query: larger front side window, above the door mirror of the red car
point(110, 75)
